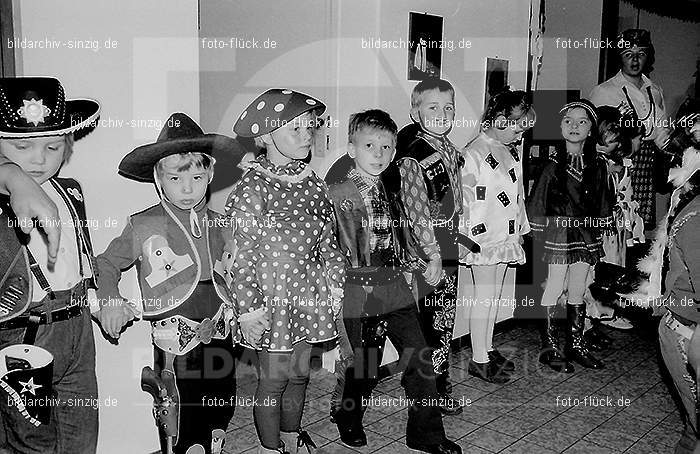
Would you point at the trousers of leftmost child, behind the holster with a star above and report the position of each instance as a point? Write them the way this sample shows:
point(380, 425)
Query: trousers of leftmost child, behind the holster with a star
point(73, 425)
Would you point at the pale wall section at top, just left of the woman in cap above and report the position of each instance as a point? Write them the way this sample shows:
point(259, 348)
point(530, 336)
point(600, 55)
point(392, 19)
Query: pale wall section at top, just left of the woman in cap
point(571, 68)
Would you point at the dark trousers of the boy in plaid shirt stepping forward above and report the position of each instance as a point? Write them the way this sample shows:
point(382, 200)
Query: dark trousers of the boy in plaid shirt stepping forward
point(395, 301)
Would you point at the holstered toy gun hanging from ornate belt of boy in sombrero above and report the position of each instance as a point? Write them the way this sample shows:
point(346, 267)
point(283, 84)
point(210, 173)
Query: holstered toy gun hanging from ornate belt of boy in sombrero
point(166, 404)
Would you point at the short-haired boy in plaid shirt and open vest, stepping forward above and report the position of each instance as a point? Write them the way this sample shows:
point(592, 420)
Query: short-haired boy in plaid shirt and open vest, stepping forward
point(377, 296)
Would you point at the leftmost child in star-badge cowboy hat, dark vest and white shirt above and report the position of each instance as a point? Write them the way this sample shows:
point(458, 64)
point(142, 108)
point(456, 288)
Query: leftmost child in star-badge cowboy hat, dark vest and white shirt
point(47, 351)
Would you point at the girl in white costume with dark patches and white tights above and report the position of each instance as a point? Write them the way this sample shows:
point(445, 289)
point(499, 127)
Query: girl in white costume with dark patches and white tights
point(494, 217)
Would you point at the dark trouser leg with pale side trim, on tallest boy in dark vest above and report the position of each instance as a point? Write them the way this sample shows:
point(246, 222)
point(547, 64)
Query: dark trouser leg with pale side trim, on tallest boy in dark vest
point(437, 316)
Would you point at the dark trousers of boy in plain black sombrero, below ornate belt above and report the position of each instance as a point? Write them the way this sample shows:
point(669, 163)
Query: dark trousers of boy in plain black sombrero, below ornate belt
point(206, 382)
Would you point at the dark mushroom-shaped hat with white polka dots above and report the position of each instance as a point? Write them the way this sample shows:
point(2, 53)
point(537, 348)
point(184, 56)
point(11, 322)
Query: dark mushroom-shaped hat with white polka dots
point(273, 109)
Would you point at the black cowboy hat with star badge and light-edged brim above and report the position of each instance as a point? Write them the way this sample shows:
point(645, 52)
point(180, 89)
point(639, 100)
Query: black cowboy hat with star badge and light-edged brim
point(37, 107)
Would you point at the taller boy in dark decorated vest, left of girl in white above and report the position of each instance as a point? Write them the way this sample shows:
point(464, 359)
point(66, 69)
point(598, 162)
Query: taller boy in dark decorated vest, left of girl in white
point(431, 190)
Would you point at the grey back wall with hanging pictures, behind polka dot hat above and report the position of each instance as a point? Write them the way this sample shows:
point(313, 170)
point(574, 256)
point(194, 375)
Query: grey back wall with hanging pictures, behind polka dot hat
point(319, 50)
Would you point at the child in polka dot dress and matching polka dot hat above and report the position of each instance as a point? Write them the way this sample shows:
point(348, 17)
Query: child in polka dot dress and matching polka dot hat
point(290, 275)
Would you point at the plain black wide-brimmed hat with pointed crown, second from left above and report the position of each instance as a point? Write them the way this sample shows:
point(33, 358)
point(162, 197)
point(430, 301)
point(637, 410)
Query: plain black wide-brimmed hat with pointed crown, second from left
point(179, 135)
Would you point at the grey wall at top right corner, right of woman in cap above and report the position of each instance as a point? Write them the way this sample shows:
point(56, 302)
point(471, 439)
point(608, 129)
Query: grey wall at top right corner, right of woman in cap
point(677, 46)
